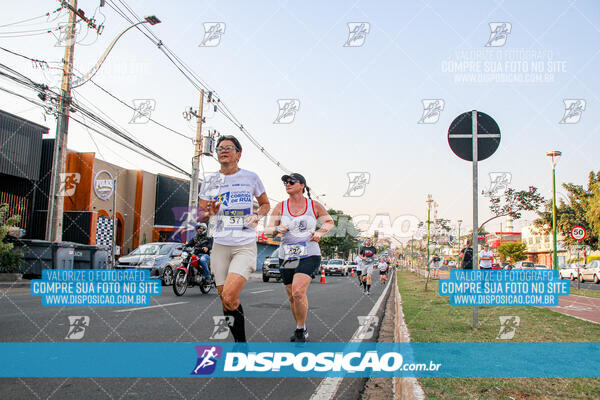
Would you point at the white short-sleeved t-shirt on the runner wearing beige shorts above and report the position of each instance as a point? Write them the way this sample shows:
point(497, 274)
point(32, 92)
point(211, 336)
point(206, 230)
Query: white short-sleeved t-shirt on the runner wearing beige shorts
point(235, 193)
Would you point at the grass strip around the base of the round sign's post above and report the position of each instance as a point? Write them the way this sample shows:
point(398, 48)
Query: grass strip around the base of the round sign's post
point(431, 318)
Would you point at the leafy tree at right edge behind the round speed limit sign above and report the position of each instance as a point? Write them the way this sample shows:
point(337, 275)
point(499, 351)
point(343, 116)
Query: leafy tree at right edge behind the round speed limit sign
point(580, 208)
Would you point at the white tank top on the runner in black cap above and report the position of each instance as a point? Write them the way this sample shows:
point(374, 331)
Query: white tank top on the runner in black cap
point(295, 243)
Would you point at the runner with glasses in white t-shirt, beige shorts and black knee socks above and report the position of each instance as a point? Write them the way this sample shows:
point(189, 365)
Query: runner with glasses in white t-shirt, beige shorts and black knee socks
point(230, 208)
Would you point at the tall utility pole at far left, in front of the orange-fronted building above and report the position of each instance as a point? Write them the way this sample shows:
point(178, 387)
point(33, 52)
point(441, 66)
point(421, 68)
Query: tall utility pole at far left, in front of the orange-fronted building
point(56, 199)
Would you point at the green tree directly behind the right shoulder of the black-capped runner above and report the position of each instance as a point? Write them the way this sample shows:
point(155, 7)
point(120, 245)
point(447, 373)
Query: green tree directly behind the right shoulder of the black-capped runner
point(342, 237)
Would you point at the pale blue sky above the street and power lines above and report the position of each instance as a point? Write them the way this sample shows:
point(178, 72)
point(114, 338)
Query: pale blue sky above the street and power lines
point(359, 106)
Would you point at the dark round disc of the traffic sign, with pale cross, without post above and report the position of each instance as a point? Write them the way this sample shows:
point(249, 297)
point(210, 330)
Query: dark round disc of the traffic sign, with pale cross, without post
point(460, 136)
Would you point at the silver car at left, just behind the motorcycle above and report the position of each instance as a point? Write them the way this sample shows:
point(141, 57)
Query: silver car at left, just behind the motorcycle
point(161, 258)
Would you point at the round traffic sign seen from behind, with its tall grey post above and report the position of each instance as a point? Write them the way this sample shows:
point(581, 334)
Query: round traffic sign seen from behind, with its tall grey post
point(474, 136)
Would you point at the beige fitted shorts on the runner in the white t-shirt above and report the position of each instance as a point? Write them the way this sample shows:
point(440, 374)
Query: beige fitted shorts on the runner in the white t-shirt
point(240, 260)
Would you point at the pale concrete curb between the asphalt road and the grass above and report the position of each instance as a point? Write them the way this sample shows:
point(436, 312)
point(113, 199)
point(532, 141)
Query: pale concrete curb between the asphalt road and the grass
point(404, 388)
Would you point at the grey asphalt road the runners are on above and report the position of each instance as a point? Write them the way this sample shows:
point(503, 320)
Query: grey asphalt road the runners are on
point(334, 308)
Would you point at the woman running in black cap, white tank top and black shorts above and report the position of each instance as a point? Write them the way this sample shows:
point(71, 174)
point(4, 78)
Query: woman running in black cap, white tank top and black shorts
point(299, 253)
